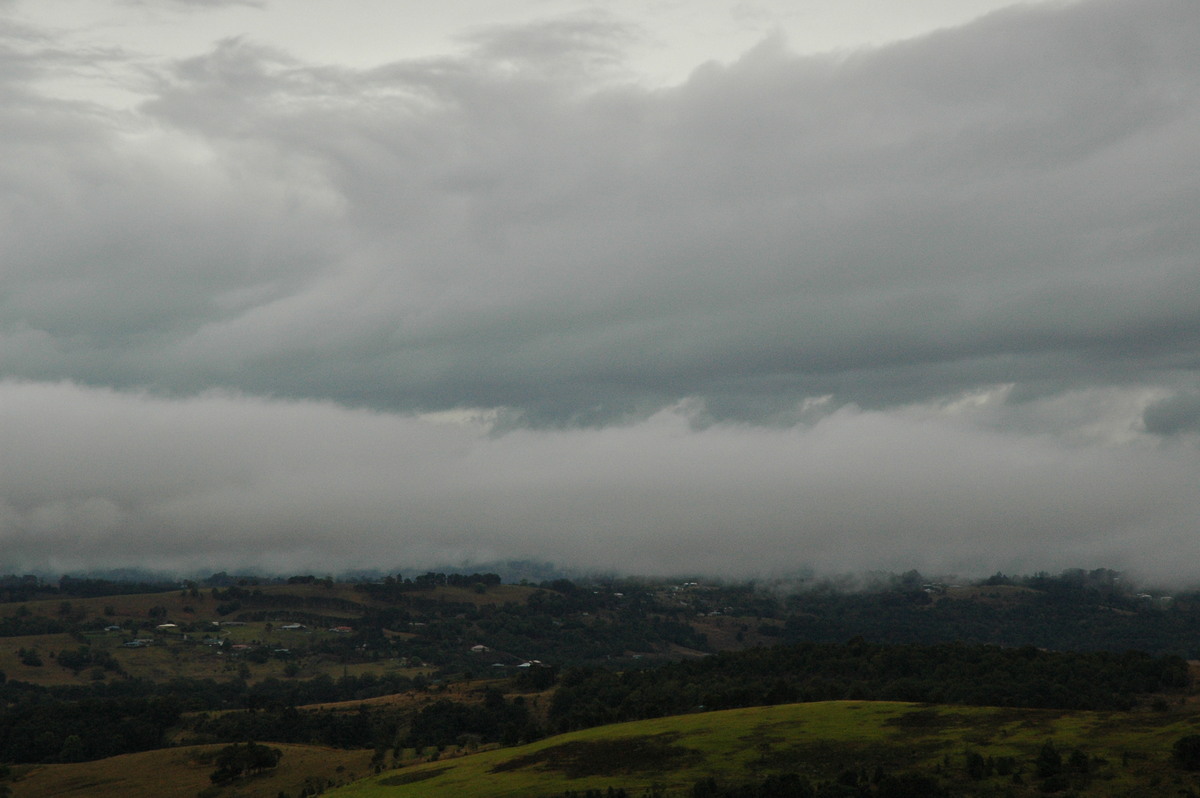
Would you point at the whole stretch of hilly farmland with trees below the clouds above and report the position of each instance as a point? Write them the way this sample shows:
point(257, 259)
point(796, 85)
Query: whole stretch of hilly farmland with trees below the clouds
point(416, 682)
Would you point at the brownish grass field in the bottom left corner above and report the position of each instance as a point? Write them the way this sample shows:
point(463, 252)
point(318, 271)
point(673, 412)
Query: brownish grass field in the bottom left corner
point(185, 772)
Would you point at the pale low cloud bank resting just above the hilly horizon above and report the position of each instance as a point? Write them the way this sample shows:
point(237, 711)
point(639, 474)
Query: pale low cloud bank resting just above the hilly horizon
point(95, 478)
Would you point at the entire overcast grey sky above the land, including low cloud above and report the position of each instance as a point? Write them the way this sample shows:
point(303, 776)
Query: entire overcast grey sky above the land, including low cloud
point(735, 289)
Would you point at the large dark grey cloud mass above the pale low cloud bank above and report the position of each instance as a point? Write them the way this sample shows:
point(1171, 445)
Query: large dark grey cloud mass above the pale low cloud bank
point(1005, 202)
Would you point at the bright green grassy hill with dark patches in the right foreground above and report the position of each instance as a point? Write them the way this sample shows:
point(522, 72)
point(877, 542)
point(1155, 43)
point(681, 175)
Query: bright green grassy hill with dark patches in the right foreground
point(1129, 753)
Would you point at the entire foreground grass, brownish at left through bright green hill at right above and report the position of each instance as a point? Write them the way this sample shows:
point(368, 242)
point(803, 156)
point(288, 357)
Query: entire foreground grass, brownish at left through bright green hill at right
point(1130, 753)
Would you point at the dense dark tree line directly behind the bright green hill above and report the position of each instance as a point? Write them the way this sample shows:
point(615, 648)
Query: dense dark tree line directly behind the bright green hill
point(945, 674)
